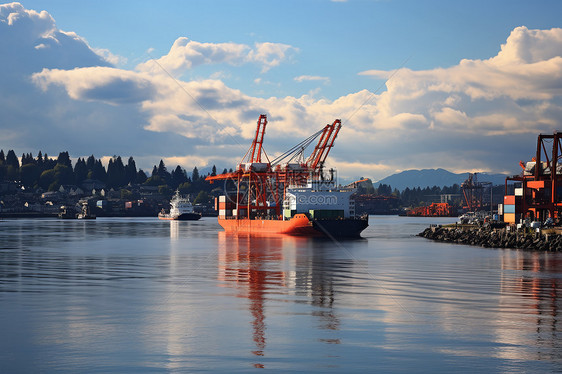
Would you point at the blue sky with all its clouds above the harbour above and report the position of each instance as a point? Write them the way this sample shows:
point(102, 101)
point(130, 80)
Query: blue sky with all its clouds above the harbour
point(464, 86)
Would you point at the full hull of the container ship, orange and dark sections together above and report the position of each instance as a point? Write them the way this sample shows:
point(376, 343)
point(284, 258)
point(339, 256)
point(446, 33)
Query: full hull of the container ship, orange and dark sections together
point(299, 225)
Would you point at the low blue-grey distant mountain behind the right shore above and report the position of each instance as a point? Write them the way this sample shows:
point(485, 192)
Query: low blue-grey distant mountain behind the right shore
point(434, 177)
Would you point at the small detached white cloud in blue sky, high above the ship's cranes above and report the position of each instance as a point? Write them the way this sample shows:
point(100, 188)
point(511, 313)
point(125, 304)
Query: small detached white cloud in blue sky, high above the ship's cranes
point(186, 54)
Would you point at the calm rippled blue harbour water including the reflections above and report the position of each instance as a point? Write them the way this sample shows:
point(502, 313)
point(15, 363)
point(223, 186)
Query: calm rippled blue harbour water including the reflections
point(143, 296)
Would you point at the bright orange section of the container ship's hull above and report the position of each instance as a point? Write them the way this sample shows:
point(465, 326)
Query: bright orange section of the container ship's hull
point(298, 225)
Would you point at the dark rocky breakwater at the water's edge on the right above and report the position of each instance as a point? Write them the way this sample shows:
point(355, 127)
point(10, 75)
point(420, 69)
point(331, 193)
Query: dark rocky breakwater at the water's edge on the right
point(495, 238)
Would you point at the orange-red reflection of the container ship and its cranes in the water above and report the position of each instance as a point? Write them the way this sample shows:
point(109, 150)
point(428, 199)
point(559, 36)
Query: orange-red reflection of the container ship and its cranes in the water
point(271, 269)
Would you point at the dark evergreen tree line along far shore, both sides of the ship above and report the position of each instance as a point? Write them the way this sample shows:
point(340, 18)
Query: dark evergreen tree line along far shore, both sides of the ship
point(49, 174)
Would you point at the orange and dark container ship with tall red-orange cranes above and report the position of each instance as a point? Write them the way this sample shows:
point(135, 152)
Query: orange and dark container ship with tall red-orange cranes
point(291, 194)
